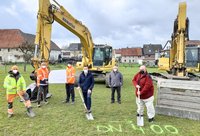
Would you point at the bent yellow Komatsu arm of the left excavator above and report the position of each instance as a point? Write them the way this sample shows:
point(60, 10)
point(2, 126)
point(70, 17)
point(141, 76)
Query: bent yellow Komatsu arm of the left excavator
point(47, 14)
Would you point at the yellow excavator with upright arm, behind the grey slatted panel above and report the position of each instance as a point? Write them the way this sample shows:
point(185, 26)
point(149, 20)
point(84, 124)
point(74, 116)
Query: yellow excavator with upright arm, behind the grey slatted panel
point(179, 60)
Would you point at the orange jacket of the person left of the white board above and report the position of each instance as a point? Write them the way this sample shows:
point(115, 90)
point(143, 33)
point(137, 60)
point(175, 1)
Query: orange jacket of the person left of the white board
point(42, 74)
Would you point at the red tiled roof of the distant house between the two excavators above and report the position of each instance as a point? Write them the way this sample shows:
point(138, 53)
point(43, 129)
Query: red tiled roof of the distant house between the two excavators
point(131, 51)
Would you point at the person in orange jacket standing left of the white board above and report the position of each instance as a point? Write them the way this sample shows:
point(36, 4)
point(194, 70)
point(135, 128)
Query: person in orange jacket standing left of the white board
point(42, 82)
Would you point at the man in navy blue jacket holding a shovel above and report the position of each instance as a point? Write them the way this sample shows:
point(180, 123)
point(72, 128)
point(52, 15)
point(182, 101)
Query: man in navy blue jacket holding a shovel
point(86, 83)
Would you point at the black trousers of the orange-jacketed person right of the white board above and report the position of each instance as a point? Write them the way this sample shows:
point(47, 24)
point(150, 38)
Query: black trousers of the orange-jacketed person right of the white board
point(70, 92)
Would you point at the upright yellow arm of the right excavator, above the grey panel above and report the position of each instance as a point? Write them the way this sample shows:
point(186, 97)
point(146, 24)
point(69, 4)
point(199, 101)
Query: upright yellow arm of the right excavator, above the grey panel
point(179, 38)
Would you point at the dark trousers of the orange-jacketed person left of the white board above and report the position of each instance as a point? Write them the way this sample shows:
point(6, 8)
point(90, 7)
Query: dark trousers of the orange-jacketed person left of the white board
point(42, 92)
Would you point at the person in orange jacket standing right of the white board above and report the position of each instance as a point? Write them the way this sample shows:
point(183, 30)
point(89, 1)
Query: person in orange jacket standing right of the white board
point(70, 80)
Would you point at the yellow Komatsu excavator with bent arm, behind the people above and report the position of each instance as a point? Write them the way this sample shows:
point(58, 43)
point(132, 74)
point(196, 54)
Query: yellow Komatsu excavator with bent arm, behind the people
point(99, 58)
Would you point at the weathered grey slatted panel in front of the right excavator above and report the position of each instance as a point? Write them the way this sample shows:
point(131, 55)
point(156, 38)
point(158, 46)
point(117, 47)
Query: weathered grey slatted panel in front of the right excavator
point(179, 98)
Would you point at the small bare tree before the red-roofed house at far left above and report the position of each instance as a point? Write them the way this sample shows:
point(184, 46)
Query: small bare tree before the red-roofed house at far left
point(28, 50)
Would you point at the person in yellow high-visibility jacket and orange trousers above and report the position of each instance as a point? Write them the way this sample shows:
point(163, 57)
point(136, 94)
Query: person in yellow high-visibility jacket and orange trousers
point(15, 85)
